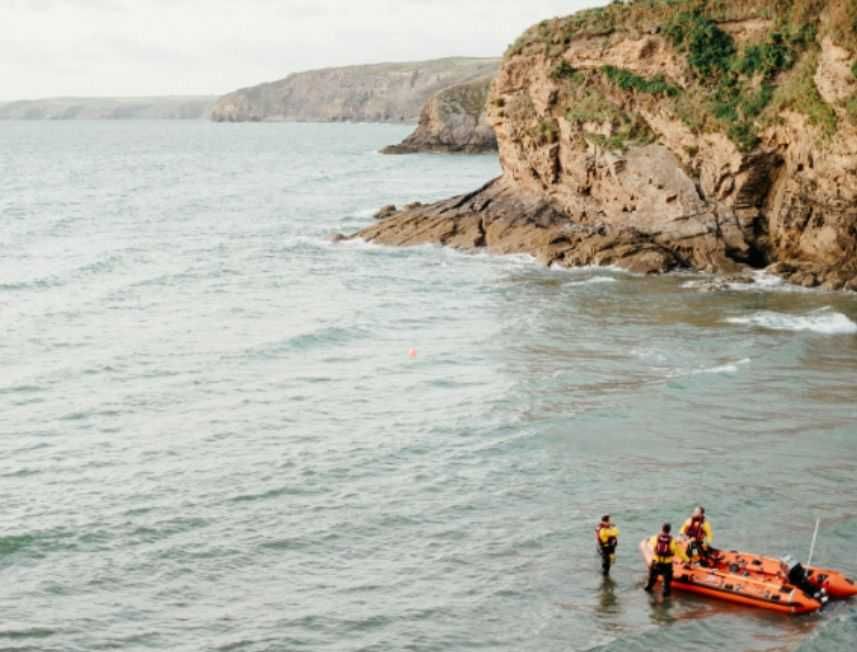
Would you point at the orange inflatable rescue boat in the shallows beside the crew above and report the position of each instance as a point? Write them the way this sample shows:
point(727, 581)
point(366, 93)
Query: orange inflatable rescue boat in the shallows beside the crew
point(739, 580)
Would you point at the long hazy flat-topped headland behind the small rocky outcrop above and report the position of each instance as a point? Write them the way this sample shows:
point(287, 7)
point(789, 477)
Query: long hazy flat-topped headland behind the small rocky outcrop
point(387, 92)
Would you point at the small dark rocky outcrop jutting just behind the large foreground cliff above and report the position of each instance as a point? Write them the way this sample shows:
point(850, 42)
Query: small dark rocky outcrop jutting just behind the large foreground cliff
point(453, 120)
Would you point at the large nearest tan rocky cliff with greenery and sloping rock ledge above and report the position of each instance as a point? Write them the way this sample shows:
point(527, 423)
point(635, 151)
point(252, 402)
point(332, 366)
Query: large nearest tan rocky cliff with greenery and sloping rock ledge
point(663, 134)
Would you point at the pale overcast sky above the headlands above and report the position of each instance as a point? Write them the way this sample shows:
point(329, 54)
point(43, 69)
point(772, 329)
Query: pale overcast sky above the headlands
point(51, 48)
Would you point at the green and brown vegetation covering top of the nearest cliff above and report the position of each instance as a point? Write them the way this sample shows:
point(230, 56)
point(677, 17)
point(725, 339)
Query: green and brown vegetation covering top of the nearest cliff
point(737, 87)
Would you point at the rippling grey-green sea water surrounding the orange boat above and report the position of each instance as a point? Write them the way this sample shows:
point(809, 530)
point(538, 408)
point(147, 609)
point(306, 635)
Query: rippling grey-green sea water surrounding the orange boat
point(213, 437)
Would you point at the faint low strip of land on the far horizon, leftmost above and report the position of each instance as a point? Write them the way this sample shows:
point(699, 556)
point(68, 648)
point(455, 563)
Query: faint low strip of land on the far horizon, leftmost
point(193, 107)
